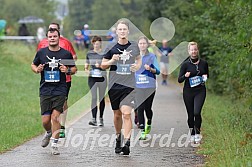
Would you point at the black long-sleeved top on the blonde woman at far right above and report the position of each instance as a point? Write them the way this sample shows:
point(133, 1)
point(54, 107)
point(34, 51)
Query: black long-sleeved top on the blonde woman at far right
point(196, 70)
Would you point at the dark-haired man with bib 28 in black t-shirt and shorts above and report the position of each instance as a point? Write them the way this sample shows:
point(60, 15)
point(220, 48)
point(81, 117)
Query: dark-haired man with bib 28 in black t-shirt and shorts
point(53, 63)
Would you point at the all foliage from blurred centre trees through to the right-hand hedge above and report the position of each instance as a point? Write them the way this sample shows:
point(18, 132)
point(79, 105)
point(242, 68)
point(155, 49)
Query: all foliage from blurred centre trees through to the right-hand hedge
point(222, 29)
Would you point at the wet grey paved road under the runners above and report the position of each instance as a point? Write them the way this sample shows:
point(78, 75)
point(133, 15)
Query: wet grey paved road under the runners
point(164, 146)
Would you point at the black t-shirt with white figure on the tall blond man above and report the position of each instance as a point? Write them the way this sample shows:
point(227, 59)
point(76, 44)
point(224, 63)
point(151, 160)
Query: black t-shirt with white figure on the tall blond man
point(120, 76)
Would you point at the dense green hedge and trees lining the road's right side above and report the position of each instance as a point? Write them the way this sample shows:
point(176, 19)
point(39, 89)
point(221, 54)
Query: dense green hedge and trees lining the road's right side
point(222, 29)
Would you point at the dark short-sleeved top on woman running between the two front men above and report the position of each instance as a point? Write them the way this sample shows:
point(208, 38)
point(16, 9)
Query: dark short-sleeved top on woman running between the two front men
point(93, 58)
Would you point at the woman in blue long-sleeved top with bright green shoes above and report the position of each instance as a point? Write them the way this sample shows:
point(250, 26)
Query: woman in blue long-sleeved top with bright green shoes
point(146, 86)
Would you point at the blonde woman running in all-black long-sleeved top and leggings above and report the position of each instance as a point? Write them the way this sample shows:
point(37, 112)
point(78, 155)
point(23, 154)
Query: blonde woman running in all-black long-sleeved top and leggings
point(194, 73)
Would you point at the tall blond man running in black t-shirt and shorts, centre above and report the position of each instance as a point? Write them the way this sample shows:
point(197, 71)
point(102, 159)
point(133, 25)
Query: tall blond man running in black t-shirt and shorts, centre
point(124, 60)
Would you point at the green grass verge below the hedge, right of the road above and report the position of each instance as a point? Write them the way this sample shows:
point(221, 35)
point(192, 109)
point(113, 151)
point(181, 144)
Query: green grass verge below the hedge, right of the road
point(227, 133)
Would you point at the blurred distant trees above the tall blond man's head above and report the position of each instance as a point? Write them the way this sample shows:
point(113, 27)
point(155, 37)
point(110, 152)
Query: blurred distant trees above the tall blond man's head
point(102, 15)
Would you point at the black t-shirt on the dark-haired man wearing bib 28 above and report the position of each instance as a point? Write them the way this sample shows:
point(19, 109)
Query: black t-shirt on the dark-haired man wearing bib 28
point(53, 82)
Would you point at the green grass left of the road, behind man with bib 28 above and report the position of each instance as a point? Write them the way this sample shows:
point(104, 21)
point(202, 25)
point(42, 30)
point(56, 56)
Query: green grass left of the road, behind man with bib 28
point(20, 118)
